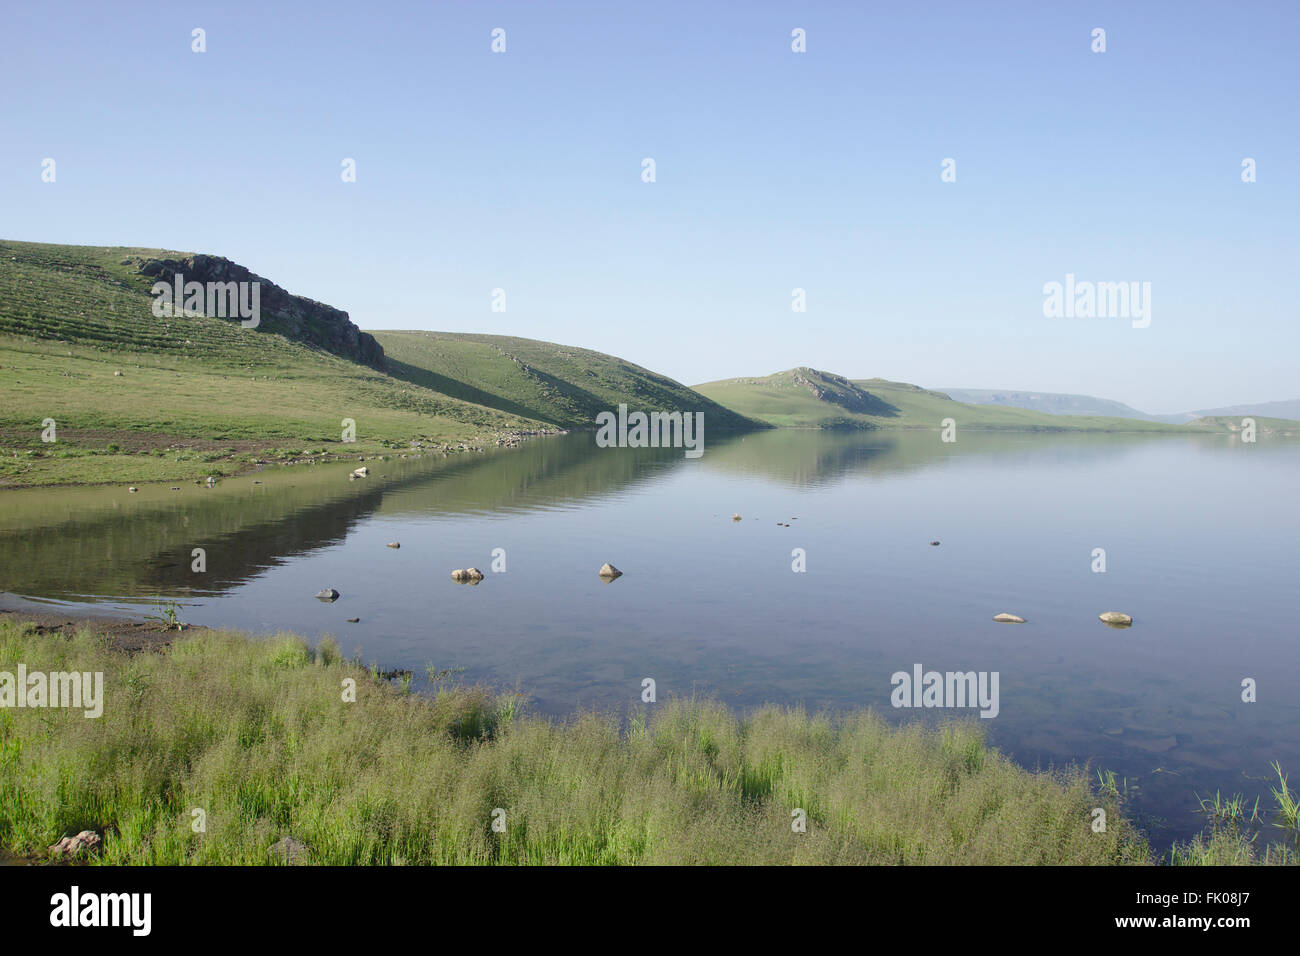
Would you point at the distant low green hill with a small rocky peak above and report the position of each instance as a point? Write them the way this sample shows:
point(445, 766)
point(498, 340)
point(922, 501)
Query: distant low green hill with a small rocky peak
point(809, 399)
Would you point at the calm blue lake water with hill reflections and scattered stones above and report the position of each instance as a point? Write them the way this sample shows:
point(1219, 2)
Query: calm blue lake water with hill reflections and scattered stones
point(1201, 538)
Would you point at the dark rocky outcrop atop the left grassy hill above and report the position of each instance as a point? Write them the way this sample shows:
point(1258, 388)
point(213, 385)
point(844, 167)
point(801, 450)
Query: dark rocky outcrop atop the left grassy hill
point(293, 317)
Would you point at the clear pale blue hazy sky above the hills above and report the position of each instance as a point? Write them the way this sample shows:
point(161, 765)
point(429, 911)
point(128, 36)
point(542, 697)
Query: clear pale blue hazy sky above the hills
point(821, 171)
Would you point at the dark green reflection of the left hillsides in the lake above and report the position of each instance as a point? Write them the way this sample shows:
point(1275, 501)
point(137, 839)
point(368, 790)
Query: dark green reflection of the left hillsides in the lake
point(107, 542)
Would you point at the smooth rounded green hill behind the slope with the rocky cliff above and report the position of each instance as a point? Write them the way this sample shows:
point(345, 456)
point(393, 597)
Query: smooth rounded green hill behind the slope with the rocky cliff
point(560, 384)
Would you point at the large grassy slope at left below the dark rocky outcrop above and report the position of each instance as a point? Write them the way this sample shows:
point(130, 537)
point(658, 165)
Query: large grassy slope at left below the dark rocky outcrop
point(138, 399)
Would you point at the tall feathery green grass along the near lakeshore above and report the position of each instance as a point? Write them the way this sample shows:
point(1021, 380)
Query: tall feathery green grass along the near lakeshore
point(255, 734)
